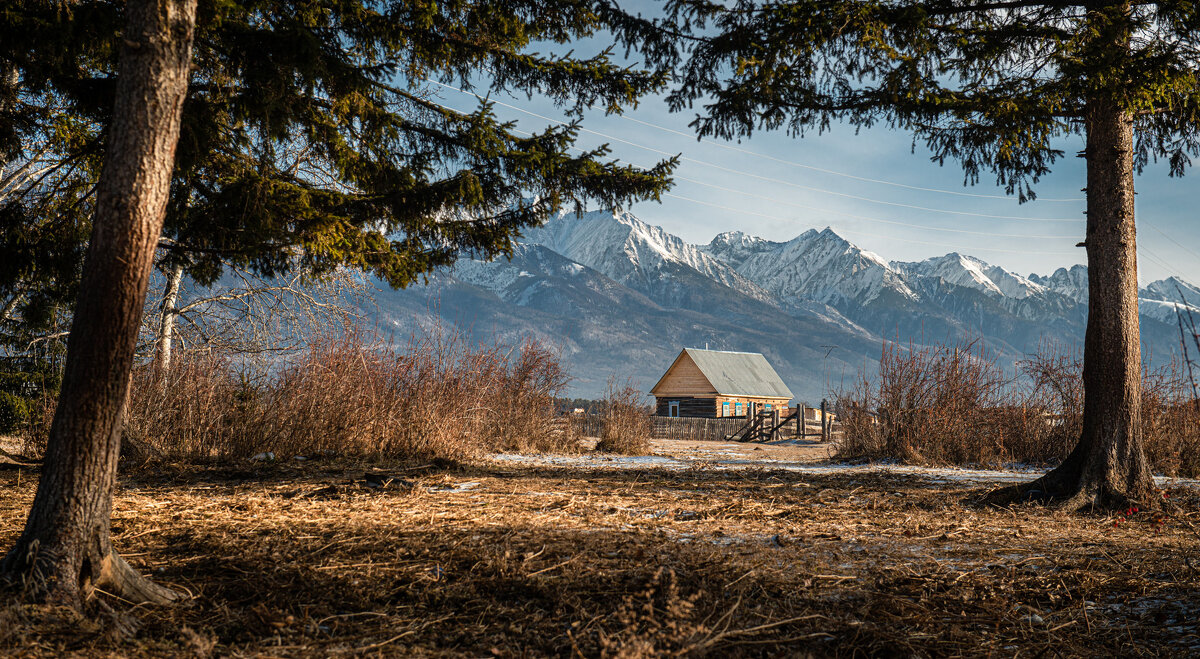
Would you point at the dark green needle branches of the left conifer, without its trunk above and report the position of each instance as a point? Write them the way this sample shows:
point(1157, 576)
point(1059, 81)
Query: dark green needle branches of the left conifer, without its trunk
point(313, 136)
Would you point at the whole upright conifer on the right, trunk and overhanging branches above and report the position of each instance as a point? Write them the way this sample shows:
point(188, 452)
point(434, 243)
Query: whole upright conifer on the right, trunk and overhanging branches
point(993, 85)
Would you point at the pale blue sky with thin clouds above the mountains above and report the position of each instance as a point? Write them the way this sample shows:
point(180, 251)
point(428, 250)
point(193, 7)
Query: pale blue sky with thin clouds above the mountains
point(873, 188)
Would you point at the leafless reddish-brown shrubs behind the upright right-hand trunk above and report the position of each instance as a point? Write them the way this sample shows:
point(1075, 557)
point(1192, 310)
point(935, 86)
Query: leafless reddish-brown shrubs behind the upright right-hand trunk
point(953, 405)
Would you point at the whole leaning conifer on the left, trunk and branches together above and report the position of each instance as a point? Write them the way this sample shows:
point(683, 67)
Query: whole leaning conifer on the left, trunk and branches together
point(308, 136)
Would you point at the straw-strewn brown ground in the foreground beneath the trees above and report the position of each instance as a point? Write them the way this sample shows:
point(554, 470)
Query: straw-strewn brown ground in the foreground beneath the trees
point(712, 549)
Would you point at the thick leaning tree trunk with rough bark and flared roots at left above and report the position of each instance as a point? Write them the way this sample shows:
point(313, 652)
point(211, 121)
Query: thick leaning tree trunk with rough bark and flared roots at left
point(65, 552)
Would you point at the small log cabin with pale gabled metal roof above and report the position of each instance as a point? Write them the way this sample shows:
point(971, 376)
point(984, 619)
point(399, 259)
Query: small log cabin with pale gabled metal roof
point(718, 384)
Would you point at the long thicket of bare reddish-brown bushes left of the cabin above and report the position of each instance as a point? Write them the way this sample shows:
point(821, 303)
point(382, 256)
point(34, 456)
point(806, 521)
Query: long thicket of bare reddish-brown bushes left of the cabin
point(436, 397)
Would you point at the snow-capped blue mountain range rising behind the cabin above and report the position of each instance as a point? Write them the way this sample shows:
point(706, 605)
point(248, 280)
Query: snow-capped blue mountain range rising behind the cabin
point(622, 297)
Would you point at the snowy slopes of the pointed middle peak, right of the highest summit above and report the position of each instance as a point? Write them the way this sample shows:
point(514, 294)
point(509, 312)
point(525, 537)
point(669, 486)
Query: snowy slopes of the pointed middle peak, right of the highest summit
point(817, 266)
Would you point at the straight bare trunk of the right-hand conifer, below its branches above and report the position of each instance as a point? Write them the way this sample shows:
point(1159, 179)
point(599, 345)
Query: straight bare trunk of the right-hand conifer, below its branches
point(1108, 469)
